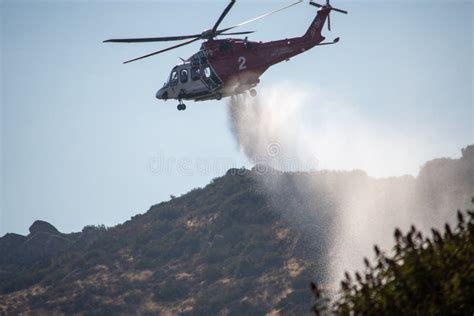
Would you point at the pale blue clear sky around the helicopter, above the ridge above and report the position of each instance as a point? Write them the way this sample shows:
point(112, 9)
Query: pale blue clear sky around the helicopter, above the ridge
point(84, 141)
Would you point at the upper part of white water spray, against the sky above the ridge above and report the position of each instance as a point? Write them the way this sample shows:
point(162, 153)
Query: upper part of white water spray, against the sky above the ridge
point(308, 125)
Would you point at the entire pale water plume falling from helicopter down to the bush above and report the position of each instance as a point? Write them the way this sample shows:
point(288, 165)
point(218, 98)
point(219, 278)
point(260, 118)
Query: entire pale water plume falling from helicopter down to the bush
point(293, 128)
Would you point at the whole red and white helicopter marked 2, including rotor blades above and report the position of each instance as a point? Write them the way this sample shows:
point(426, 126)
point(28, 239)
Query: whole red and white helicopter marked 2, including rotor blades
point(231, 66)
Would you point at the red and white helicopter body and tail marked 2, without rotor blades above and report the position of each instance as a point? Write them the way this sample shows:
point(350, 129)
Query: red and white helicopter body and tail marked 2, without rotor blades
point(229, 67)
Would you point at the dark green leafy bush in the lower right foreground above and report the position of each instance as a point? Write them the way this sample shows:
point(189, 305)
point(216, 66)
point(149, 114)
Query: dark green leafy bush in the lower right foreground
point(425, 276)
